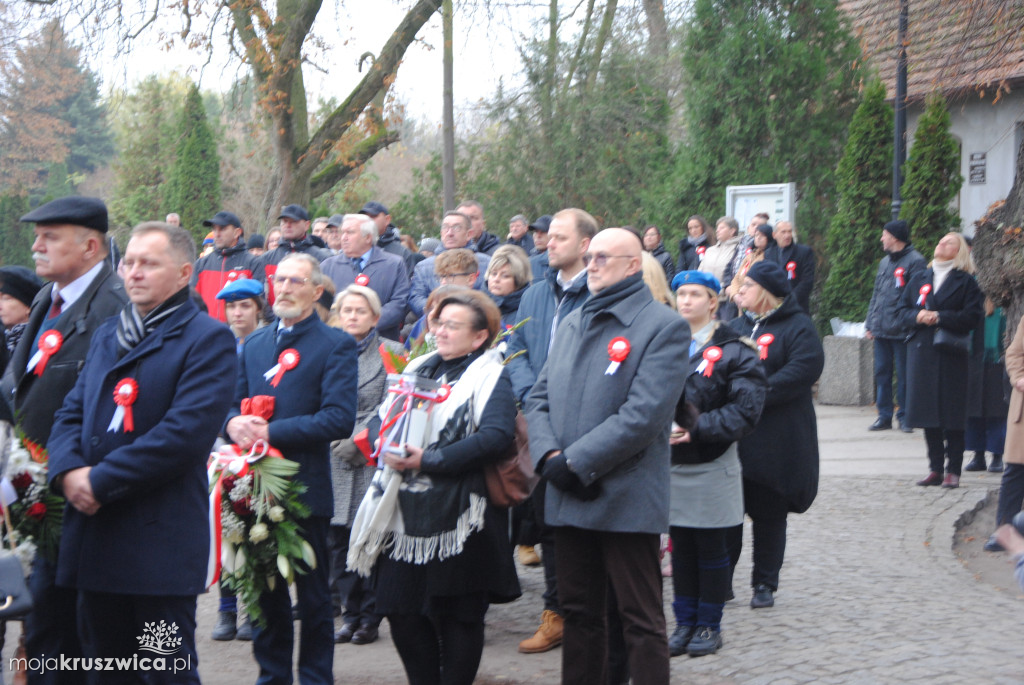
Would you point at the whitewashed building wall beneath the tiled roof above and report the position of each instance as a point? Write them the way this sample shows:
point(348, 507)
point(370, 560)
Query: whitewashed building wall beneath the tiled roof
point(995, 131)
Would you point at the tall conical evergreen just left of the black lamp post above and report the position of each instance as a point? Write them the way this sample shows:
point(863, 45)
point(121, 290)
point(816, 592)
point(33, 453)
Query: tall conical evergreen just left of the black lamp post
point(865, 181)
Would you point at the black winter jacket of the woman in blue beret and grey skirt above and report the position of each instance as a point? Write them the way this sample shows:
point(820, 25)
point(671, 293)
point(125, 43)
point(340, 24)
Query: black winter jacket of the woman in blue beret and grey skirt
point(727, 405)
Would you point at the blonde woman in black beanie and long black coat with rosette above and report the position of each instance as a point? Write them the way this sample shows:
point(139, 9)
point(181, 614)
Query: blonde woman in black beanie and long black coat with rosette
point(781, 457)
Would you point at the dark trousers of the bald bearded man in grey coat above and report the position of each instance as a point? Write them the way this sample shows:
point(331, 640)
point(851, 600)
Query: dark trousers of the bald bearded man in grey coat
point(588, 563)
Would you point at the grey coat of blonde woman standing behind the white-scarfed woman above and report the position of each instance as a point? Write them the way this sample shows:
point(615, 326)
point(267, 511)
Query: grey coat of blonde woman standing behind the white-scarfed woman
point(350, 474)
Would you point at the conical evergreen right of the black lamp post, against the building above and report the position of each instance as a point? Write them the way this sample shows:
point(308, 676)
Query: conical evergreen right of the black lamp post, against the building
point(933, 178)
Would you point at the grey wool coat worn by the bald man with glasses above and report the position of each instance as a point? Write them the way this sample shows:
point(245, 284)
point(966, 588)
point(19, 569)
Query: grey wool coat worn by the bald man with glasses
point(614, 430)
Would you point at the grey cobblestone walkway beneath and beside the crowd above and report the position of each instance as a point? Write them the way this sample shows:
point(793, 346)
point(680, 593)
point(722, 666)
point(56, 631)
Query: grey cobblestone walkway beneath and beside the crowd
point(871, 592)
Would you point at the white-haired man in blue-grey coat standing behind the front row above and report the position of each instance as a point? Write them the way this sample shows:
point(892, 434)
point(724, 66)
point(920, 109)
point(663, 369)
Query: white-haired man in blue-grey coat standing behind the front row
point(363, 263)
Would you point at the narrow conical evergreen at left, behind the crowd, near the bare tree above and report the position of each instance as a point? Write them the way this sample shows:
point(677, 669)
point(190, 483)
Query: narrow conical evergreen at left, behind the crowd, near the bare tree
point(194, 181)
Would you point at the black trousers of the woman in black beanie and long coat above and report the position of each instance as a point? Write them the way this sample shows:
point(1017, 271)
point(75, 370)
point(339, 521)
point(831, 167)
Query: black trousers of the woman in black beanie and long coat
point(769, 511)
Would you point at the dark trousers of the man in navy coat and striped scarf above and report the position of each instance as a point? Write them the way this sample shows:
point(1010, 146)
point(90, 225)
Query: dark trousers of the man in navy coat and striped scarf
point(113, 626)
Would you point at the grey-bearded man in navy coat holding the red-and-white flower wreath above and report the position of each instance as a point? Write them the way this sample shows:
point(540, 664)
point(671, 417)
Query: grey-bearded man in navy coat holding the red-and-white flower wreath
point(315, 404)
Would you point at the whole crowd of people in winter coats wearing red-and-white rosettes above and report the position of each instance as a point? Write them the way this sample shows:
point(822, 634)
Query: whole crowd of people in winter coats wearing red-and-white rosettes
point(664, 395)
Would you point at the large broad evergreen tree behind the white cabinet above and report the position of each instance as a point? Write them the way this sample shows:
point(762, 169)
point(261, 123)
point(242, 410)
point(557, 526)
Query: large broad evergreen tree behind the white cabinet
point(773, 87)
